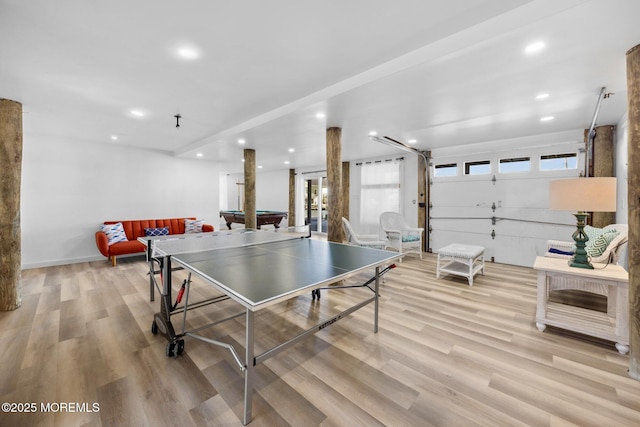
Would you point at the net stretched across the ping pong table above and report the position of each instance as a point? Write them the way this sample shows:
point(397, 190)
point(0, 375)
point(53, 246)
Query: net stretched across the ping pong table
point(218, 240)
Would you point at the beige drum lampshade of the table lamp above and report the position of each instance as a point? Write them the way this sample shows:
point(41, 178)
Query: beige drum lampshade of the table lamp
point(583, 195)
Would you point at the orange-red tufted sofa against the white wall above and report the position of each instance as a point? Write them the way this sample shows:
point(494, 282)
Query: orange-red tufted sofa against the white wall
point(133, 230)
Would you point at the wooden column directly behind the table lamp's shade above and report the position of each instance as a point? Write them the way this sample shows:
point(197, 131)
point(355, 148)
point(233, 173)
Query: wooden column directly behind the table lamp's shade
point(603, 155)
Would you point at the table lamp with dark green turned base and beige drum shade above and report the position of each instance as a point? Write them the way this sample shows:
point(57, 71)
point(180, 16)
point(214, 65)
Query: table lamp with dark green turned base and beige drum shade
point(582, 195)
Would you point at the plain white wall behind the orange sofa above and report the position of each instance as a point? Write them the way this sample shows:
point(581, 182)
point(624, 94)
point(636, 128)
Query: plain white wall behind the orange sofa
point(70, 188)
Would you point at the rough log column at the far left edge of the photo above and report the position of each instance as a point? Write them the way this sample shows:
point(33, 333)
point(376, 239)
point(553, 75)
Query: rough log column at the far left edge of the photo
point(10, 176)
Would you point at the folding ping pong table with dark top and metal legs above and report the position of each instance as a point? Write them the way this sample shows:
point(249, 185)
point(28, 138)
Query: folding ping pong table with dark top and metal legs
point(256, 269)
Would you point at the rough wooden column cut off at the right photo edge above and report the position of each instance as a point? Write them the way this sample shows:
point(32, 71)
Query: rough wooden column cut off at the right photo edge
point(633, 109)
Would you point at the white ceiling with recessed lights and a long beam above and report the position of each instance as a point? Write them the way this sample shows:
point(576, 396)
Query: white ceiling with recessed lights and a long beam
point(443, 72)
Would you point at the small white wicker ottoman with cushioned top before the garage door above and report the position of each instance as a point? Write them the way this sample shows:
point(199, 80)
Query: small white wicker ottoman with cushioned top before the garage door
point(461, 260)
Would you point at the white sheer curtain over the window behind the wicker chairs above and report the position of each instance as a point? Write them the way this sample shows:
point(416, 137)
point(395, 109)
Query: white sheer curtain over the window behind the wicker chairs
point(380, 192)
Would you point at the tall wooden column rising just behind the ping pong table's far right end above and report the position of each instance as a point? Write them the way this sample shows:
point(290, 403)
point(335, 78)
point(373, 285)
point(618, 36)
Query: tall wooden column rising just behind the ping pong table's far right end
point(334, 184)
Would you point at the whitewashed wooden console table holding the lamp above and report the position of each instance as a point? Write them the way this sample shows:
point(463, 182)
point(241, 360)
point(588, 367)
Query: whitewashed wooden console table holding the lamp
point(611, 281)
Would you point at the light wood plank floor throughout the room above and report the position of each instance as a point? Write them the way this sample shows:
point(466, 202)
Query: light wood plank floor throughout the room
point(446, 354)
